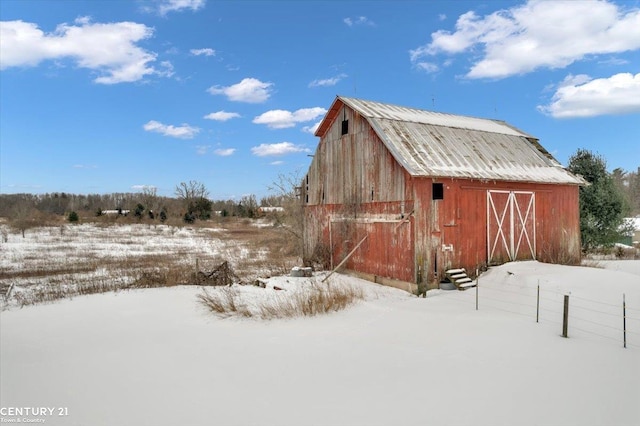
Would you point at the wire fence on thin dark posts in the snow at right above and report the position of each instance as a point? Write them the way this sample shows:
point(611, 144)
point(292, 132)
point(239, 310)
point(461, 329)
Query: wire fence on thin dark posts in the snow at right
point(604, 320)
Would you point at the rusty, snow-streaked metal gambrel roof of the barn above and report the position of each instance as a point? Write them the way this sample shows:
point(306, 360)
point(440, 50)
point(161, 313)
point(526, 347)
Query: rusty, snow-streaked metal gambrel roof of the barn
point(428, 143)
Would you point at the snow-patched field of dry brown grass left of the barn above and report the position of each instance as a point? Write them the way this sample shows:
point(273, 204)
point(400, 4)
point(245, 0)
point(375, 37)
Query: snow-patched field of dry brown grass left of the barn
point(60, 262)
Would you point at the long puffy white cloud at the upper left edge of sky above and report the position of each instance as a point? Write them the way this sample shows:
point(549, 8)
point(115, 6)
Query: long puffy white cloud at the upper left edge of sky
point(110, 49)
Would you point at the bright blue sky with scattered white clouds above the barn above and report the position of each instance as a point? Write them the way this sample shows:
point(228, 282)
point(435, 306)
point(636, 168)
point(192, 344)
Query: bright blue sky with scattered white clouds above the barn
point(112, 96)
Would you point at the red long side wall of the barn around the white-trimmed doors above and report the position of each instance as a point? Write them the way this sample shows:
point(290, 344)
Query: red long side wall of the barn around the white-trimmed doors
point(452, 232)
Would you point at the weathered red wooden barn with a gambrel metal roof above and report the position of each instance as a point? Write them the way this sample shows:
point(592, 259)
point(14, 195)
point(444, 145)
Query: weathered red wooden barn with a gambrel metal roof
point(413, 193)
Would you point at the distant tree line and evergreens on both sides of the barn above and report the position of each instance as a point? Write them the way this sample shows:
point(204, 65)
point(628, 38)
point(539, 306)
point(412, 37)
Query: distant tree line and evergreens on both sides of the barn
point(608, 198)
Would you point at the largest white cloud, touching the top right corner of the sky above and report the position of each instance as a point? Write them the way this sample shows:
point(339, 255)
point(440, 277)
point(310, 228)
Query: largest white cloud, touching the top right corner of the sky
point(538, 34)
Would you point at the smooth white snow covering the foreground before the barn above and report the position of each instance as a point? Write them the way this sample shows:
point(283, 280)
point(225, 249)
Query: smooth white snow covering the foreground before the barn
point(157, 357)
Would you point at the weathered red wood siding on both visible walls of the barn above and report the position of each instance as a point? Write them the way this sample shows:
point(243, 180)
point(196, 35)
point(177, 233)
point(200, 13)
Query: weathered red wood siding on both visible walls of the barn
point(355, 187)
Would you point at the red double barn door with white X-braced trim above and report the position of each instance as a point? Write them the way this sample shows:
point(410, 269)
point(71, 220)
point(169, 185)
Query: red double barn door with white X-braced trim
point(519, 228)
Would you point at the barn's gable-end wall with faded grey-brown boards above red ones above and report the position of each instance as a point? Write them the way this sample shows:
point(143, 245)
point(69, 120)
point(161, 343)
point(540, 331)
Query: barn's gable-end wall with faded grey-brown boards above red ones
point(355, 187)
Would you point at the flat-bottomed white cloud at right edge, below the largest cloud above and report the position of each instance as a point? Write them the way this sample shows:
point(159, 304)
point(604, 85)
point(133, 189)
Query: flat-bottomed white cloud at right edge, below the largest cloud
point(579, 96)
